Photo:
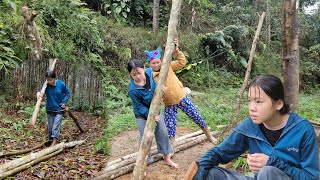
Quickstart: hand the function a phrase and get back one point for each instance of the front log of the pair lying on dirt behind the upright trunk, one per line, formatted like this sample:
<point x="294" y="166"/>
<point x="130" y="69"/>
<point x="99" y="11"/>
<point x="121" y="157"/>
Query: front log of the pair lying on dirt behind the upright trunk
<point x="129" y="168"/>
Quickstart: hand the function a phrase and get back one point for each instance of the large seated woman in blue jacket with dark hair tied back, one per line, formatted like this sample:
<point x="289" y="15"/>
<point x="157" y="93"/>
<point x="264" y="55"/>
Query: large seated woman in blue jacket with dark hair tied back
<point x="280" y="144"/>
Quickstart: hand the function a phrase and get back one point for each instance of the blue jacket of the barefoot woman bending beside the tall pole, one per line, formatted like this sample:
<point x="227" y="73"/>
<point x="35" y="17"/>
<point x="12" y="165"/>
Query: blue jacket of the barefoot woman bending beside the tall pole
<point x="141" y="97"/>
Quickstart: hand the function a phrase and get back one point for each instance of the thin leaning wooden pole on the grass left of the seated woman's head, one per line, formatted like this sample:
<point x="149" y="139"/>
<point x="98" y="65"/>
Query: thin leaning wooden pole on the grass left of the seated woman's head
<point x="245" y="81"/>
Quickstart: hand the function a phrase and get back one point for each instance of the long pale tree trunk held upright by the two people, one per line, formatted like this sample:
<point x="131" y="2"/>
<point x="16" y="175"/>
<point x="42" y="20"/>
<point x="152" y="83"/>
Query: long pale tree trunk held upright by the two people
<point x="148" y="134"/>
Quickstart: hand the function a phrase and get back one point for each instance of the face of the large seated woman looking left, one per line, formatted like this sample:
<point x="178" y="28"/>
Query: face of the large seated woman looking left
<point x="261" y="107"/>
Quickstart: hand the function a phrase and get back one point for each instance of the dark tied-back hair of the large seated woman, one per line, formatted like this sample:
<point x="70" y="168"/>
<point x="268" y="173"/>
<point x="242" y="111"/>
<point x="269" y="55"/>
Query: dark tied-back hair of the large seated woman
<point x="273" y="87"/>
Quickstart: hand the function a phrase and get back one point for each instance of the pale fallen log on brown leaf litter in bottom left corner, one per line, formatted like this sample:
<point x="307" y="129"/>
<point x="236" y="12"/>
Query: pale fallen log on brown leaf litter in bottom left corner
<point x="14" y="164"/>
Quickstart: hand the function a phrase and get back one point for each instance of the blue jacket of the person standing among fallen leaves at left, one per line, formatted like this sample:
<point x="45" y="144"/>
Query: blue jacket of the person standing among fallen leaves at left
<point x="56" y="96"/>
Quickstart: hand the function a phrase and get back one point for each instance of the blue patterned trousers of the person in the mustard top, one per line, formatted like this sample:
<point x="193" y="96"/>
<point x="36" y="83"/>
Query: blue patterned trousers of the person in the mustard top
<point x="171" y="112"/>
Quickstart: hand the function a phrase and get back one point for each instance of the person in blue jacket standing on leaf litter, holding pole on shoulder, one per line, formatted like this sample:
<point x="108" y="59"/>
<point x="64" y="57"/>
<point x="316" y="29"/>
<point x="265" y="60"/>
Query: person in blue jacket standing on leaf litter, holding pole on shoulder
<point x="57" y="95"/>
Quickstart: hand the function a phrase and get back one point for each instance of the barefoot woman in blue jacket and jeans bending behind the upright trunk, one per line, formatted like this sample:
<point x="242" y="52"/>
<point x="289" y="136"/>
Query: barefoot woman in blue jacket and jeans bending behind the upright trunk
<point x="141" y="89"/>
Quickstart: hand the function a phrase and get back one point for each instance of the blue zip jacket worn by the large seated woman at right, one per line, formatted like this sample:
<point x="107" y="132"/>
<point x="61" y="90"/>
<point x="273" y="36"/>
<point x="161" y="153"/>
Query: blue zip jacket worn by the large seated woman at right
<point x="295" y="152"/>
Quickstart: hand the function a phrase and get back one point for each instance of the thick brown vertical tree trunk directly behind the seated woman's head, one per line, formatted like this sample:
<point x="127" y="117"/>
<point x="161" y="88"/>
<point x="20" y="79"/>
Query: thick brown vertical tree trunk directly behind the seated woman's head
<point x="290" y="48"/>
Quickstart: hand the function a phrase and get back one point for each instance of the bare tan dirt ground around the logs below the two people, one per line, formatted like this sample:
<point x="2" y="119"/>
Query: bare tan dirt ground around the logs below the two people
<point x="128" y="142"/>
